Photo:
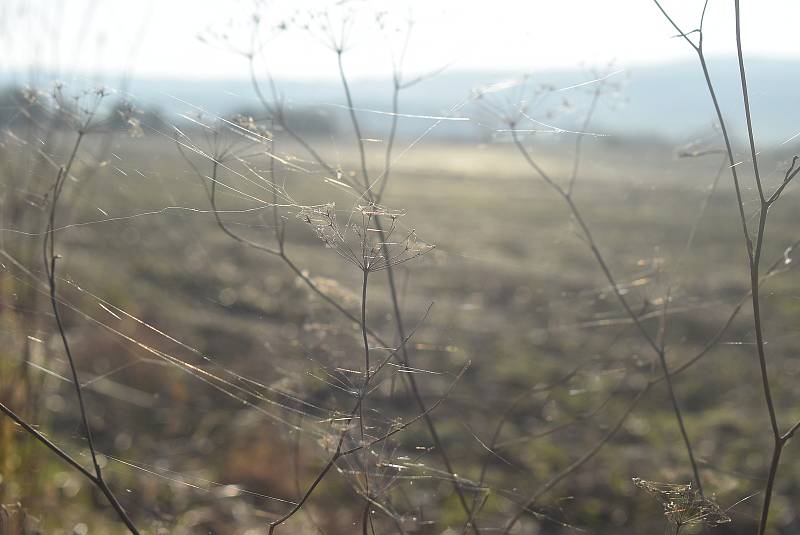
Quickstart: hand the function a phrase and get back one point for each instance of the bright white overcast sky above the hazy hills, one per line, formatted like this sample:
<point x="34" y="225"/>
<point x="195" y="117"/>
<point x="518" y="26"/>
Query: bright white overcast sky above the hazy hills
<point x="159" y="37"/>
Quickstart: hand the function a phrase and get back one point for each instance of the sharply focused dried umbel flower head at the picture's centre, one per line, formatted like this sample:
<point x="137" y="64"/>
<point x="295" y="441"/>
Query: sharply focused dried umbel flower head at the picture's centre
<point x="362" y="240"/>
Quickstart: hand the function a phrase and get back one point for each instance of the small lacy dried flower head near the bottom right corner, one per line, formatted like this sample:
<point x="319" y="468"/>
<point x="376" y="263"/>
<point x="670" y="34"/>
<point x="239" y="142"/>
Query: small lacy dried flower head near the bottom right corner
<point x="683" y="505"/>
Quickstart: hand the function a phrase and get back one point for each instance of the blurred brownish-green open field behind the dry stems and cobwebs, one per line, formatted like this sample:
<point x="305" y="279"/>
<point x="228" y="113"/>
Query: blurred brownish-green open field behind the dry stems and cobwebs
<point x="512" y="288"/>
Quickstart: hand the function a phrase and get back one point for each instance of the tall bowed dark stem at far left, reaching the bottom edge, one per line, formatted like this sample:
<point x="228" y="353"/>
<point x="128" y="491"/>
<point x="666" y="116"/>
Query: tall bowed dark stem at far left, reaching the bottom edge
<point x="50" y="259"/>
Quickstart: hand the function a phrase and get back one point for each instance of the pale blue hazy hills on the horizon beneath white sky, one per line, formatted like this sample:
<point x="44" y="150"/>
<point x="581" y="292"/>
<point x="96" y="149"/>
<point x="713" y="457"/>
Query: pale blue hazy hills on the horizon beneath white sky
<point x="666" y="101"/>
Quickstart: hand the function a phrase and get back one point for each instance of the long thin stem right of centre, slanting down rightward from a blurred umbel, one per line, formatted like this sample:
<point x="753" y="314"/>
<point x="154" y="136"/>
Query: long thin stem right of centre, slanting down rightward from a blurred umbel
<point x="587" y="234"/>
